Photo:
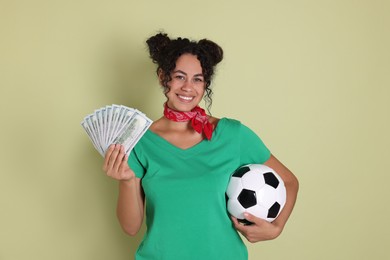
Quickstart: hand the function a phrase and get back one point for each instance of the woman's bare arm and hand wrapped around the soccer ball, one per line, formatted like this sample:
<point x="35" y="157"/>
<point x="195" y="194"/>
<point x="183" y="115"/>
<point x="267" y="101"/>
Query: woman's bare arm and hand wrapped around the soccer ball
<point x="261" y="229"/>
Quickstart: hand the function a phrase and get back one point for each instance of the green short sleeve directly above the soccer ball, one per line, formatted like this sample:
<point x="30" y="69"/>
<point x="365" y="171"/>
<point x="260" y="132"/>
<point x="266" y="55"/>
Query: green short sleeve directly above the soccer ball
<point x="252" y="148"/>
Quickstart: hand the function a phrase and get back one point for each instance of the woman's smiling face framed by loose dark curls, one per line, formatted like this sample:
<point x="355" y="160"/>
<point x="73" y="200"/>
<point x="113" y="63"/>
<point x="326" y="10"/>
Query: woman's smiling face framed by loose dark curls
<point x="187" y="85"/>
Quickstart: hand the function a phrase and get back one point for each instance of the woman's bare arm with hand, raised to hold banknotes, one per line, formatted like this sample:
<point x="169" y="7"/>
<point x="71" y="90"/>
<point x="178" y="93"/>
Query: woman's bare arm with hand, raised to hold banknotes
<point x="130" y="207"/>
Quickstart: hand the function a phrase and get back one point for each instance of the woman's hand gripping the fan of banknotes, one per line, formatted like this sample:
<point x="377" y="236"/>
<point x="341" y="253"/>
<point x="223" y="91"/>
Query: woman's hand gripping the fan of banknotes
<point x="115" y="163"/>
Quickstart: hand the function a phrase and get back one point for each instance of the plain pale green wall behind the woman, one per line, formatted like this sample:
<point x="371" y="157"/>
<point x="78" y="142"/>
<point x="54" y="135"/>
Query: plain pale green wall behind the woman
<point x="310" y="77"/>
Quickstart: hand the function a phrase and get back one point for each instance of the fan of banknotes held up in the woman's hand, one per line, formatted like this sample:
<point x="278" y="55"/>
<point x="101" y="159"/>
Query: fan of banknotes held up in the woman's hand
<point x="115" y="124"/>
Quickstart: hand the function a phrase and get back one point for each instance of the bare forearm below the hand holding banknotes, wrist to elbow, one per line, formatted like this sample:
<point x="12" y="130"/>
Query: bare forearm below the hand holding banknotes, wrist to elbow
<point x="130" y="208"/>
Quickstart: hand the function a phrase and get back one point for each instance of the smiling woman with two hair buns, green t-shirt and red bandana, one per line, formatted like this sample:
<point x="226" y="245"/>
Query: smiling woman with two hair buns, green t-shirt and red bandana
<point x="181" y="166"/>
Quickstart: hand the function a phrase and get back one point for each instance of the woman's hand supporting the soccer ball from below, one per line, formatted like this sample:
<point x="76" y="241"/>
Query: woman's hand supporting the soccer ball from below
<point x="260" y="230"/>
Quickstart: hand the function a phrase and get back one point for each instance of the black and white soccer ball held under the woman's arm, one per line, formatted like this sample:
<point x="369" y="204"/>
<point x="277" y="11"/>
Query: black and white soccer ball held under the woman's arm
<point x="256" y="189"/>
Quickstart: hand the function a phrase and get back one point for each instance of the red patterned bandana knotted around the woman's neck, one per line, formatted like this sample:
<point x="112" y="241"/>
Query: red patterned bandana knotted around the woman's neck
<point x="197" y="116"/>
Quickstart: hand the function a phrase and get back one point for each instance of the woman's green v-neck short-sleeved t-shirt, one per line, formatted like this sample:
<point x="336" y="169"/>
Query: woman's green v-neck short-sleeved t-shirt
<point x="186" y="214"/>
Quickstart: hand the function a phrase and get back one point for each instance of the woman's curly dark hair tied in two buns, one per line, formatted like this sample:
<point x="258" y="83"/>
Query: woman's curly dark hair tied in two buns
<point x="165" y="51"/>
